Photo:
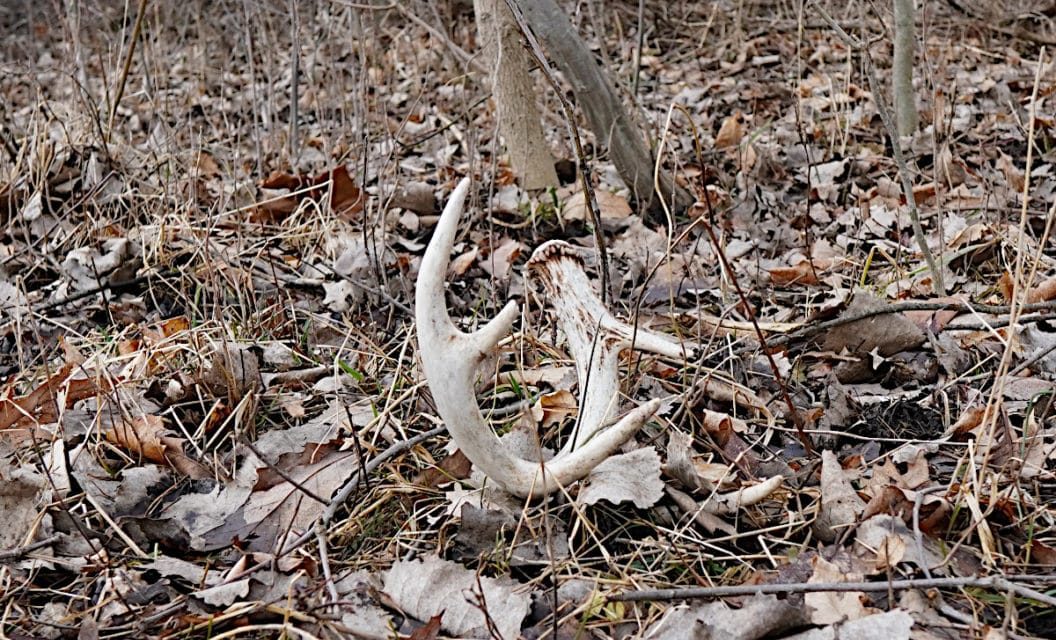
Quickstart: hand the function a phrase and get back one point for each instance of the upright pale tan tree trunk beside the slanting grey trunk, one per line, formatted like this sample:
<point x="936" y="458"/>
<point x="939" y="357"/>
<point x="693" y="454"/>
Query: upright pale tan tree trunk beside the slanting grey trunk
<point x="519" y="117"/>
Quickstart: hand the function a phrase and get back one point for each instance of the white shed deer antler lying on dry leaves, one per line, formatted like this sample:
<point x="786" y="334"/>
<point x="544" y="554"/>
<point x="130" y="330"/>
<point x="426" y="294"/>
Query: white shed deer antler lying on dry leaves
<point x="596" y="338"/>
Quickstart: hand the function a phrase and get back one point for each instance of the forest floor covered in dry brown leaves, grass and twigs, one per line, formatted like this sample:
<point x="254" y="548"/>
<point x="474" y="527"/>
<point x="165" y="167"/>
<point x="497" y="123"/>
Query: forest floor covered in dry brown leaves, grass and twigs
<point x="214" y="422"/>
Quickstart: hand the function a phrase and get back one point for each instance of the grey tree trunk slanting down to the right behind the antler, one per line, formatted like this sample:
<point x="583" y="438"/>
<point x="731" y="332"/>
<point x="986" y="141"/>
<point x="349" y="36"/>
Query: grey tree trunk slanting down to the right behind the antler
<point x="596" y="97"/>
